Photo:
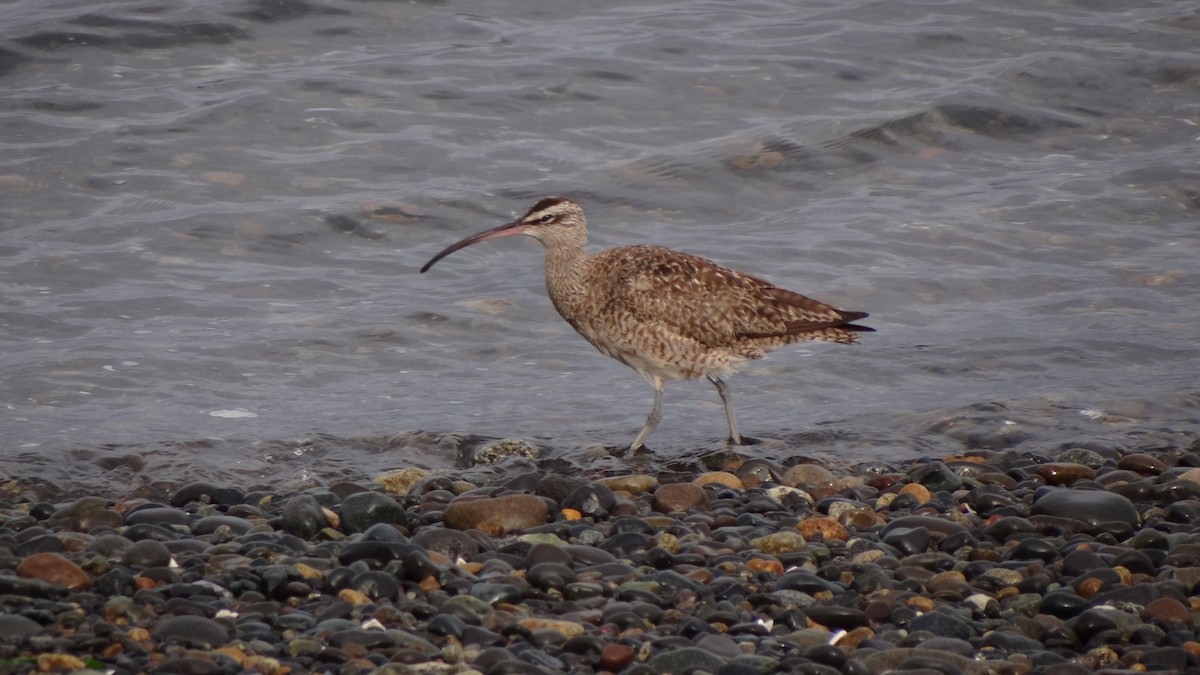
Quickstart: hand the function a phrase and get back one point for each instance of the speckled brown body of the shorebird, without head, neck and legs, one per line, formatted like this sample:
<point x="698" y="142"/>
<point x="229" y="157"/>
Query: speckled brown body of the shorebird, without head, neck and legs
<point x="681" y="316"/>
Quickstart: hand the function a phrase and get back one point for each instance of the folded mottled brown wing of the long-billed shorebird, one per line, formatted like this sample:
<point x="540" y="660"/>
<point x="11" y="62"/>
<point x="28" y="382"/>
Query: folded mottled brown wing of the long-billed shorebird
<point x="715" y="306"/>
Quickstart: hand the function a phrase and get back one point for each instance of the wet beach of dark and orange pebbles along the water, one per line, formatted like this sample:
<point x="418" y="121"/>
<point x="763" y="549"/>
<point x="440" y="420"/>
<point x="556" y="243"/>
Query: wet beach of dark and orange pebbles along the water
<point x="991" y="563"/>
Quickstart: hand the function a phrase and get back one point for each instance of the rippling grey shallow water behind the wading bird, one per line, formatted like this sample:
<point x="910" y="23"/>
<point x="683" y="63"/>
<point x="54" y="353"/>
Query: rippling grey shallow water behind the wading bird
<point x="212" y="218"/>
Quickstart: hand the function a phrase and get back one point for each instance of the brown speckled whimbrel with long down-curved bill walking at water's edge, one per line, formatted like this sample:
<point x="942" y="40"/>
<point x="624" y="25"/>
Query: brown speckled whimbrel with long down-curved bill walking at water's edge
<point x="665" y="314"/>
